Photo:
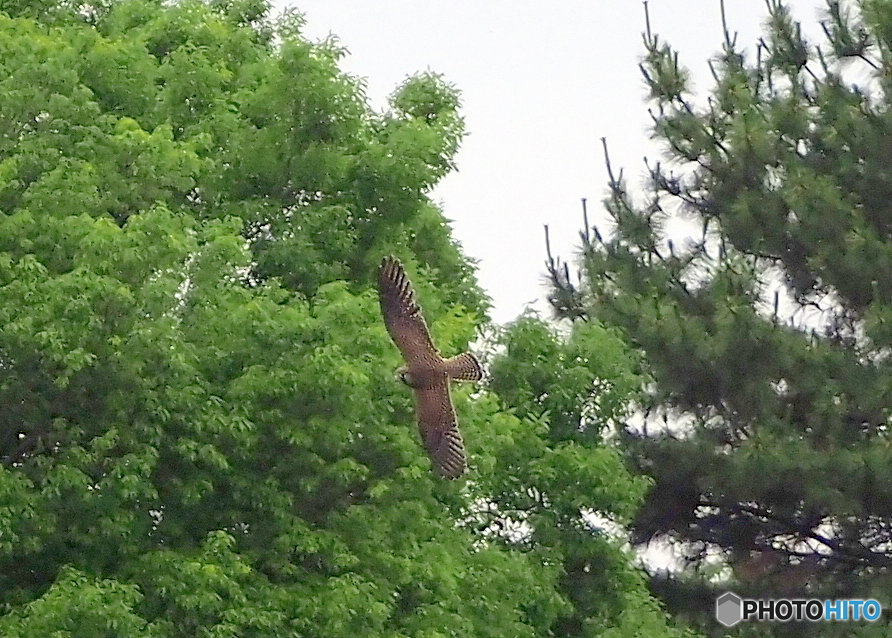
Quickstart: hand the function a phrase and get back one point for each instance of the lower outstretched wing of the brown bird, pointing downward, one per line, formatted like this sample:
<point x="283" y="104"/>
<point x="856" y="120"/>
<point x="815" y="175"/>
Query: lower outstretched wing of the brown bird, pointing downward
<point x="439" y="430"/>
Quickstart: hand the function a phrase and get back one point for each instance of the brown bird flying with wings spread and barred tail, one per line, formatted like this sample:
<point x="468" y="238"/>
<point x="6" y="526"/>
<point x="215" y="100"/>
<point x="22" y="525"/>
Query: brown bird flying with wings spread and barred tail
<point x="426" y="371"/>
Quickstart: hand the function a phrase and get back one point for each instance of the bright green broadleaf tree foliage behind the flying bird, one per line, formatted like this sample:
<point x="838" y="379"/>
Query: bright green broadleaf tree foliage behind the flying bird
<point x="201" y="434"/>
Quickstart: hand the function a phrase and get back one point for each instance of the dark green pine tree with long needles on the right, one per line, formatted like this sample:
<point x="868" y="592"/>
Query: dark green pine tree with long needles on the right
<point x="766" y="332"/>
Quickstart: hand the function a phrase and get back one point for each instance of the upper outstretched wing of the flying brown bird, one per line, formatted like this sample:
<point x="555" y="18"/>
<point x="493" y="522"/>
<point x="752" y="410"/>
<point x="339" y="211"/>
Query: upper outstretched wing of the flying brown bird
<point x="402" y="315"/>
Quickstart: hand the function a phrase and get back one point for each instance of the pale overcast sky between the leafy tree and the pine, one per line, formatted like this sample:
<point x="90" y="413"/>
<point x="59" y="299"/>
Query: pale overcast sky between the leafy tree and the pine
<point x="541" y="83"/>
